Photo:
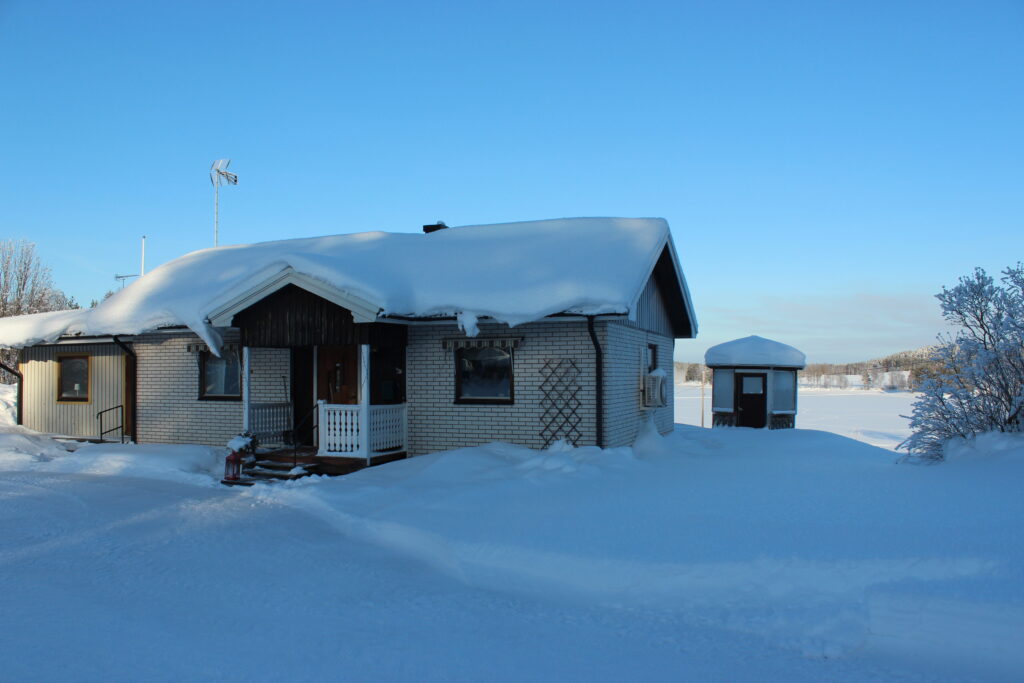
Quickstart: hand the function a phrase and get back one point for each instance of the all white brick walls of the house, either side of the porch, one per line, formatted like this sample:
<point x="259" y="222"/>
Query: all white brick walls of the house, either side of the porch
<point x="170" y="412"/>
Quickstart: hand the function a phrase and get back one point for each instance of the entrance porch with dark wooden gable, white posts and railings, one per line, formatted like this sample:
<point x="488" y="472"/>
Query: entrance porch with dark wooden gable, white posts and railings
<point x="345" y="406"/>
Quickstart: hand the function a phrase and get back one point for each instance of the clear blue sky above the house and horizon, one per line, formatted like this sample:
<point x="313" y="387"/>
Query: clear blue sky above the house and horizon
<point x="826" y="167"/>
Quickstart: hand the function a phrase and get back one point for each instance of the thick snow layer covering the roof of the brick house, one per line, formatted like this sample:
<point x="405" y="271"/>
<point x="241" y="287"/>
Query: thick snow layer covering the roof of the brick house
<point x="513" y="273"/>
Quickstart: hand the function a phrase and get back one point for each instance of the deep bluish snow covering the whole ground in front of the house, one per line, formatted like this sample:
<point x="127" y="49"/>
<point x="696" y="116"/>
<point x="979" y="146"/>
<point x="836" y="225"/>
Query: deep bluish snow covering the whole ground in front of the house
<point x="734" y="554"/>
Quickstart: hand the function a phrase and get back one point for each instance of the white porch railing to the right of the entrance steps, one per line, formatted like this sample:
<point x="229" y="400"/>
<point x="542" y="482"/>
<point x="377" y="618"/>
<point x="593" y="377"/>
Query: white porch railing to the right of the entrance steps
<point x="343" y="435"/>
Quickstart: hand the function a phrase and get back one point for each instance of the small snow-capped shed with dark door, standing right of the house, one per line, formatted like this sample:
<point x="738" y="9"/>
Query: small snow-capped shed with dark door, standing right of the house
<point x="754" y="383"/>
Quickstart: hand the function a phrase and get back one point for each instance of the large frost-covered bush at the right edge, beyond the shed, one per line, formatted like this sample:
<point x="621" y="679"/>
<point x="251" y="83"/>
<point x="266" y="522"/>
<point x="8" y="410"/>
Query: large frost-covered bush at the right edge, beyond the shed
<point x="980" y="385"/>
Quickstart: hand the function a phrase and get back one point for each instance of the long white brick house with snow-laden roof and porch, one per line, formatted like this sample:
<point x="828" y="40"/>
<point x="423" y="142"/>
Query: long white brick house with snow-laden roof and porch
<point x="375" y="343"/>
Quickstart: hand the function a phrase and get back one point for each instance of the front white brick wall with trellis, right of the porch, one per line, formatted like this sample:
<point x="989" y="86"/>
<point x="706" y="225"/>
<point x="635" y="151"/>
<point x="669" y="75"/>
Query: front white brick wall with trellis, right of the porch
<point x="437" y="423"/>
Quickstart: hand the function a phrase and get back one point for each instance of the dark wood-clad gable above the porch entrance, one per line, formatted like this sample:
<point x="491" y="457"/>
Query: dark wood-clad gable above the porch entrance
<point x="292" y="317"/>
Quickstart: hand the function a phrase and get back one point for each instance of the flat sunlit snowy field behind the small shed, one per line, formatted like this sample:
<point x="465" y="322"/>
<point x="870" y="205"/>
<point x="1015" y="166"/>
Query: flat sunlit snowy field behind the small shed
<point x="873" y="416"/>
